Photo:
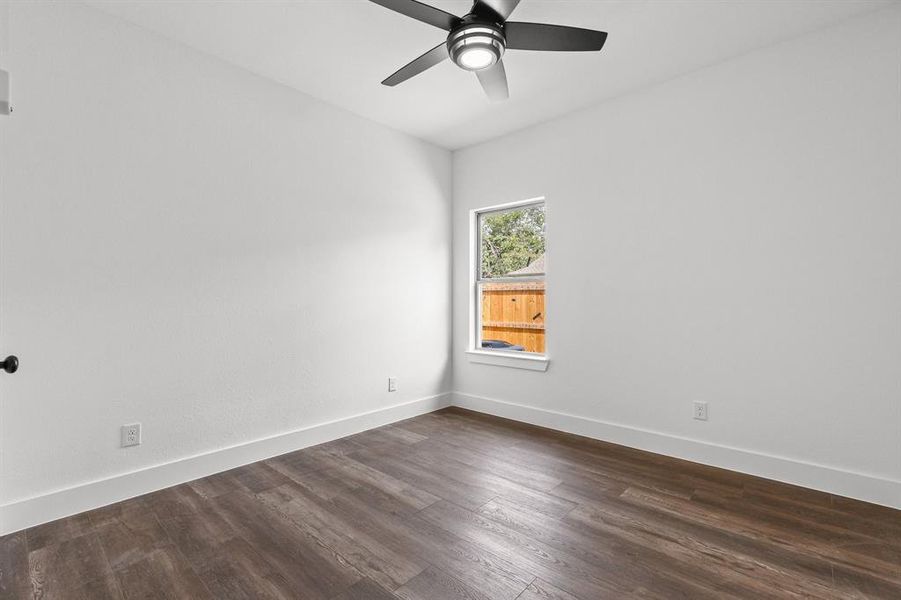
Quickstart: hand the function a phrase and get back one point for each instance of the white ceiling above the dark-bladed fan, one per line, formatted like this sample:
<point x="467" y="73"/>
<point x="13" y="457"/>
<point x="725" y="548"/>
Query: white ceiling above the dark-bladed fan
<point x="339" y="51"/>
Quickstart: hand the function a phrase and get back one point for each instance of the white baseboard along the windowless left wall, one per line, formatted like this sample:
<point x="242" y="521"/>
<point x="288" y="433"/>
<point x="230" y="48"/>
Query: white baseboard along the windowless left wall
<point x="66" y="502"/>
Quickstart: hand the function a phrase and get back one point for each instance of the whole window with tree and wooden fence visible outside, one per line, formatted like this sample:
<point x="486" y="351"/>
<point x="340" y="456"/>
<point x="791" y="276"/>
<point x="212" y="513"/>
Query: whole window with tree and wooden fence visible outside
<point x="509" y="280"/>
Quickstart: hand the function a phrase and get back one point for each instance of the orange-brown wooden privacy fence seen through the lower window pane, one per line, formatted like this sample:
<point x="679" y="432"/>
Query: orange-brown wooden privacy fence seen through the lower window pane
<point x="514" y="313"/>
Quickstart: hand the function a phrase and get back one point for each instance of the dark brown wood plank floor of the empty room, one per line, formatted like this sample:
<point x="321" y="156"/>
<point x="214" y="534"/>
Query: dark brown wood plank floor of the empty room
<point x="457" y="505"/>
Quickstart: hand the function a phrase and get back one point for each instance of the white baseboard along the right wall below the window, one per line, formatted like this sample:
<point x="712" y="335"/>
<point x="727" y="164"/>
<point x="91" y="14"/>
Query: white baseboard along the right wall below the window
<point x="861" y="486"/>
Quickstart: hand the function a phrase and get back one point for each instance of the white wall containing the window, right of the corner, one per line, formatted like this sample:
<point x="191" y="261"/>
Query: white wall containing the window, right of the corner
<point x="730" y="236"/>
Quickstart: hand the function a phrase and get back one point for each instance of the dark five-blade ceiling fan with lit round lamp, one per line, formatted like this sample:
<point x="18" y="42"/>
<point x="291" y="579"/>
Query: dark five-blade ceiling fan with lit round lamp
<point x="477" y="41"/>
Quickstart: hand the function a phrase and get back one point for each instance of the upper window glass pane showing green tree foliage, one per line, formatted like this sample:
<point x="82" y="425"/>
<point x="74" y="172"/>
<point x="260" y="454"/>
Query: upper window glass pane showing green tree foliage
<point x="512" y="242"/>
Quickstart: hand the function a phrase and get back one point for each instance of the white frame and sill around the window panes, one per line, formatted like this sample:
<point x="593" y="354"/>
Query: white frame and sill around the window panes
<point x="532" y="361"/>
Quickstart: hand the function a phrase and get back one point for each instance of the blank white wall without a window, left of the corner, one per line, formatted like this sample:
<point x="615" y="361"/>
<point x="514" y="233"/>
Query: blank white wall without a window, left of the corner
<point x="190" y="246"/>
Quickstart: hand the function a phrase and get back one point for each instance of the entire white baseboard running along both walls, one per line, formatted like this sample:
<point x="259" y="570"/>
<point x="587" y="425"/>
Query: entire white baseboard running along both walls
<point x="63" y="503"/>
